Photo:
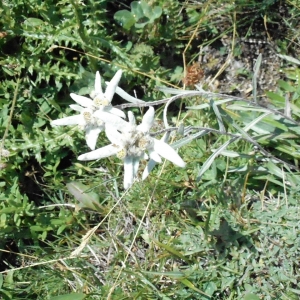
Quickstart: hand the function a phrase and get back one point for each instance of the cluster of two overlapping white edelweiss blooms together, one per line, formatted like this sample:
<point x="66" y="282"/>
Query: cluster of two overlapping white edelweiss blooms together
<point x="128" y="141"/>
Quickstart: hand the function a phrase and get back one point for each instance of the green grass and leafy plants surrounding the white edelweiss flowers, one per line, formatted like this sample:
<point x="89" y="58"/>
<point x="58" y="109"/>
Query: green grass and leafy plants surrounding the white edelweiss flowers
<point x="224" y="227"/>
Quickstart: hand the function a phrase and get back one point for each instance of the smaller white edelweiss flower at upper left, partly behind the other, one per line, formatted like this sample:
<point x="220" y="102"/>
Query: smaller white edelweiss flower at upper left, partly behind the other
<point x="92" y="124"/>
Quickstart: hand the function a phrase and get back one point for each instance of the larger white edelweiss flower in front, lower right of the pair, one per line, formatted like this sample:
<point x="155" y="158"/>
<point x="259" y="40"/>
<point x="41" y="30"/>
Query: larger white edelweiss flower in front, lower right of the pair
<point x="130" y="141"/>
